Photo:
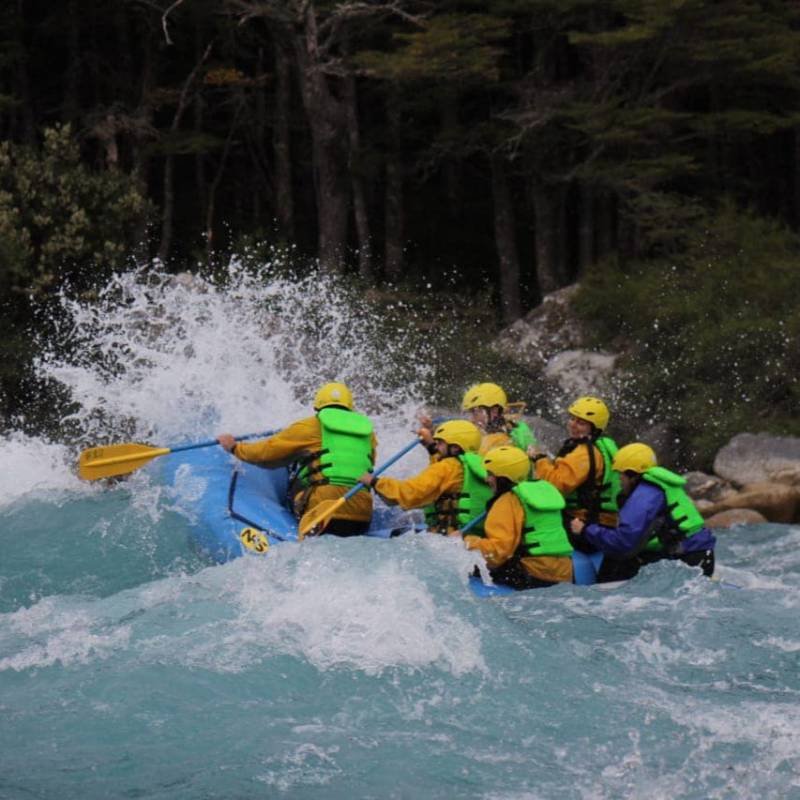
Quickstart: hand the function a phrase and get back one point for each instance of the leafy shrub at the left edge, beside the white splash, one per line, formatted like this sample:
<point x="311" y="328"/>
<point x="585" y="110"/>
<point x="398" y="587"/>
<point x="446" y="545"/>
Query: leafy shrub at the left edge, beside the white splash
<point x="62" y="224"/>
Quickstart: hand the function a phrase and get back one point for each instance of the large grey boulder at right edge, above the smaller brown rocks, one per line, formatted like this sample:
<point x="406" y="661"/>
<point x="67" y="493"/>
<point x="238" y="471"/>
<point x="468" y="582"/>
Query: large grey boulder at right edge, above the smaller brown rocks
<point x="756" y="457"/>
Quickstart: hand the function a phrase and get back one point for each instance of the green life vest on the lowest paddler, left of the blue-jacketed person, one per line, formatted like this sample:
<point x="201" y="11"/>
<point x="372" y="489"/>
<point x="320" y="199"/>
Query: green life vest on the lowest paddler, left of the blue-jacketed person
<point x="543" y="533"/>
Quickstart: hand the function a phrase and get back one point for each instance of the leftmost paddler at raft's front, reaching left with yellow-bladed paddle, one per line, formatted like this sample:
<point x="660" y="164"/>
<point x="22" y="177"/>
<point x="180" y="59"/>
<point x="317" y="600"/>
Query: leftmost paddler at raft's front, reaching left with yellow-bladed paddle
<point x="329" y="450"/>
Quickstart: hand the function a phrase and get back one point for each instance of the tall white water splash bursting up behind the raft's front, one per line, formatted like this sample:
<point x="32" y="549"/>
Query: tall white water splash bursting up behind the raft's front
<point x="163" y="357"/>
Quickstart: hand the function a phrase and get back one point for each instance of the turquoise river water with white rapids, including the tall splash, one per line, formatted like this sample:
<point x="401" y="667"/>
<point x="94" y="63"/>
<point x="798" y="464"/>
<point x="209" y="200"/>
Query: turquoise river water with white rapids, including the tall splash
<point x="133" y="667"/>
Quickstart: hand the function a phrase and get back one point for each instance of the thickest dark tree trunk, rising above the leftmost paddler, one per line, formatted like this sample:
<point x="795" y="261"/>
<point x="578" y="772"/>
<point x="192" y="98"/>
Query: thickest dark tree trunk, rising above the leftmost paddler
<point x="327" y="122"/>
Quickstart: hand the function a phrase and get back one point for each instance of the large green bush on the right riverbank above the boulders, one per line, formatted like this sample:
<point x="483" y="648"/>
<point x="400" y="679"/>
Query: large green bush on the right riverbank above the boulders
<point x="713" y="331"/>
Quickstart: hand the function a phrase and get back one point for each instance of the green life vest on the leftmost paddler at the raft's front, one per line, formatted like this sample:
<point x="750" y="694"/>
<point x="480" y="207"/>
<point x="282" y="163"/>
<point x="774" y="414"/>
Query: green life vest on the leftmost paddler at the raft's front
<point x="346" y="451"/>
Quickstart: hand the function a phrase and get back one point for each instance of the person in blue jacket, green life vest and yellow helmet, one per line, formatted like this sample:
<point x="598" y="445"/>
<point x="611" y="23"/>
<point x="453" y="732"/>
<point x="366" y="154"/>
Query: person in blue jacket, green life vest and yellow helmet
<point x="657" y="518"/>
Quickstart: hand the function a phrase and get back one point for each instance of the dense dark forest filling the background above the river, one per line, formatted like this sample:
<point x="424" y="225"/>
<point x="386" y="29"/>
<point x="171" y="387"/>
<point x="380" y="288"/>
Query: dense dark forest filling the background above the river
<point x="511" y="147"/>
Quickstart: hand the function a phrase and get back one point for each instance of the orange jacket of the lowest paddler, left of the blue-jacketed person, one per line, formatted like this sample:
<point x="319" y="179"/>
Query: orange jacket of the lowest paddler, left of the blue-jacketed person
<point x="503" y="531"/>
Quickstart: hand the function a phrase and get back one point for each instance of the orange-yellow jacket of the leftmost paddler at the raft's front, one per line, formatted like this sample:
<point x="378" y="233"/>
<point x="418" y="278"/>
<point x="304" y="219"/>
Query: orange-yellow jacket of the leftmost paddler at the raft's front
<point x="299" y="439"/>
